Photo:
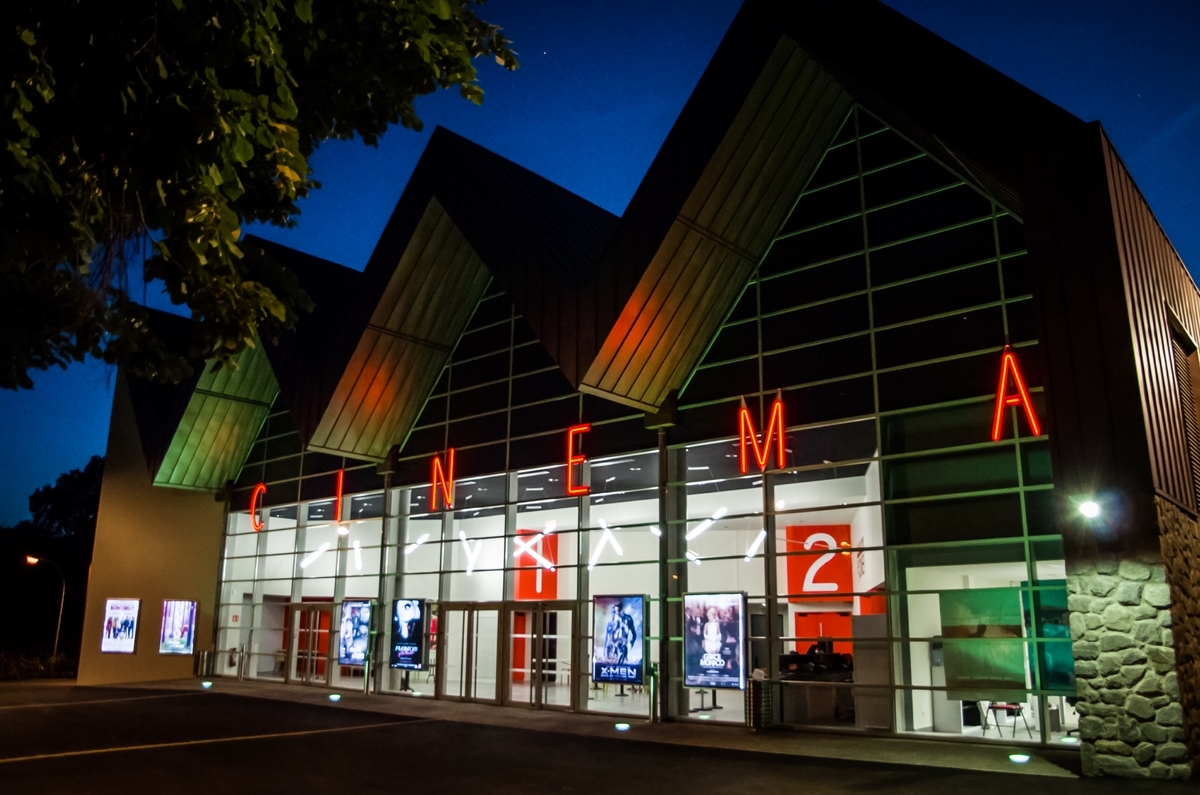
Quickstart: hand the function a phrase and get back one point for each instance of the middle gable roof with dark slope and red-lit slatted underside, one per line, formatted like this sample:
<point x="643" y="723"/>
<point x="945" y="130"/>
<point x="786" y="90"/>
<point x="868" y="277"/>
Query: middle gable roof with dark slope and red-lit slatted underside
<point x="467" y="217"/>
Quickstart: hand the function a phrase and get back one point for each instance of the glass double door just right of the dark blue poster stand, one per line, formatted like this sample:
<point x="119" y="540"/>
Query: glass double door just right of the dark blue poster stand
<point x="469" y="637"/>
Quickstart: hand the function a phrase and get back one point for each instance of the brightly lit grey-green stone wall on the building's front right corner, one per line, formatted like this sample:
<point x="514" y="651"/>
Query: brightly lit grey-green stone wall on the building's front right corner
<point x="1131" y="718"/>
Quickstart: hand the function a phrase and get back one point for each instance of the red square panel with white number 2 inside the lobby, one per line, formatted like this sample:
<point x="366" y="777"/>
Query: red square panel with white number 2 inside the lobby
<point x="818" y="577"/>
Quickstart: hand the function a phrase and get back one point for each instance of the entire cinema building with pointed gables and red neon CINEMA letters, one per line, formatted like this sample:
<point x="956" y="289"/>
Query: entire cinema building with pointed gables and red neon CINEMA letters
<point x="885" y="343"/>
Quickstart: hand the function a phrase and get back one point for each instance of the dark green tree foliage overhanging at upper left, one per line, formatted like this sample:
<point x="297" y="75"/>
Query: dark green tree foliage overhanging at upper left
<point x="151" y="131"/>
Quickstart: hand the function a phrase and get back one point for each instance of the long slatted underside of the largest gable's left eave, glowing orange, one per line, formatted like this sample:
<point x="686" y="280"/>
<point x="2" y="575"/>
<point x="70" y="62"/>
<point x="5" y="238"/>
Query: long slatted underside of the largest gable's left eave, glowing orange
<point x="790" y="116"/>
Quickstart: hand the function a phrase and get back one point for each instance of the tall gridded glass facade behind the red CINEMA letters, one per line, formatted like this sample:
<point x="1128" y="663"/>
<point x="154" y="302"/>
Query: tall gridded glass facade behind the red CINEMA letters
<point x="903" y="572"/>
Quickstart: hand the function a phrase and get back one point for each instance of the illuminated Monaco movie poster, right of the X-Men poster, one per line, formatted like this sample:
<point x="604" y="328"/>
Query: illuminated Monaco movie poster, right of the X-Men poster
<point x="713" y="641"/>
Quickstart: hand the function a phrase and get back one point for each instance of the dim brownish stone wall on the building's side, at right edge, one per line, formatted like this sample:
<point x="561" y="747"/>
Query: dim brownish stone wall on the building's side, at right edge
<point x="1180" y="539"/>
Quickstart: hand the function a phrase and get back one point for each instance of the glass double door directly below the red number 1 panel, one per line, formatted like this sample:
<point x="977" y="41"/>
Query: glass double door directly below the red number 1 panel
<point x="539" y="655"/>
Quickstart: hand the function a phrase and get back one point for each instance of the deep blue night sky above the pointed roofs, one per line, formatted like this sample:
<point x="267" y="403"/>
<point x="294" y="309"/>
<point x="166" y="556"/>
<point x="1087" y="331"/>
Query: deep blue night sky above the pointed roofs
<point x="598" y="91"/>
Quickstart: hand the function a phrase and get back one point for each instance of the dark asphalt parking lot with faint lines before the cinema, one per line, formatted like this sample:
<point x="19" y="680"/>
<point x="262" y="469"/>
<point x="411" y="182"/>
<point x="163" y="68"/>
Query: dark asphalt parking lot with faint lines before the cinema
<point x="67" y="739"/>
